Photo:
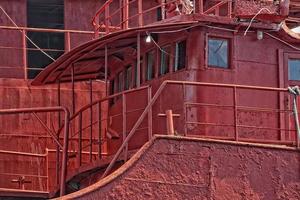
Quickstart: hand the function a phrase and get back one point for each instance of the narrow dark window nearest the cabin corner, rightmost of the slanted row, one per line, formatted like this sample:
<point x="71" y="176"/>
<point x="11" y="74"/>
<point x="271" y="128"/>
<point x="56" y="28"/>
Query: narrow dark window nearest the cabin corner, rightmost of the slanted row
<point x="180" y="55"/>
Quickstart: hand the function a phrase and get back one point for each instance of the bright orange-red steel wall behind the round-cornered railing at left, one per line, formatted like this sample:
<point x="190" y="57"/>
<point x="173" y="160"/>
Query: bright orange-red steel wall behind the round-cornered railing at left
<point x="23" y="133"/>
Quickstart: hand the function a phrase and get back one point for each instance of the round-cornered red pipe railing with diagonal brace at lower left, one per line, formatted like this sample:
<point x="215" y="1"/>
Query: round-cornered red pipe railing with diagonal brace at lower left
<point x="54" y="136"/>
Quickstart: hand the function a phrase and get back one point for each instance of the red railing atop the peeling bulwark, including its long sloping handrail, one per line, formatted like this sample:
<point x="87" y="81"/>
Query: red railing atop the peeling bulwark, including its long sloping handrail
<point x="235" y="106"/>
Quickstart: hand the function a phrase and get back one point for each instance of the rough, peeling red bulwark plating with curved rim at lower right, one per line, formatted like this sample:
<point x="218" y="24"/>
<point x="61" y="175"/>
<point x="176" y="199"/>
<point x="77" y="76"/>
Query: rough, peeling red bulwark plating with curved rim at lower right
<point x="199" y="169"/>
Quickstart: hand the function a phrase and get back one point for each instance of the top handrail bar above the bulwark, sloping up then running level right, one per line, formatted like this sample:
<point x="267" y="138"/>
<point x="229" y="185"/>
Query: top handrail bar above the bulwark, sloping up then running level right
<point x="157" y="94"/>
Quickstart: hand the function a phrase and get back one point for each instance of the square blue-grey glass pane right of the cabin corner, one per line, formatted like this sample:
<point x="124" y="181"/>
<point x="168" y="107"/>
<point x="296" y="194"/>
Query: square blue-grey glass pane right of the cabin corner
<point x="218" y="53"/>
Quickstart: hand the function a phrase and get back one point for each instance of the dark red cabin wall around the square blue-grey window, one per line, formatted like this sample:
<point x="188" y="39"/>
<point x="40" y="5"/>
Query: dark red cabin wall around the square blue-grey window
<point x="253" y="62"/>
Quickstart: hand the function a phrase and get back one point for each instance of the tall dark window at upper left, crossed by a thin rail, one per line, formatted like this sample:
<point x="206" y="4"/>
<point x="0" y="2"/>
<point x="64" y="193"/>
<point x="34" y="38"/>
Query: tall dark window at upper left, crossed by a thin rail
<point x="44" y="14"/>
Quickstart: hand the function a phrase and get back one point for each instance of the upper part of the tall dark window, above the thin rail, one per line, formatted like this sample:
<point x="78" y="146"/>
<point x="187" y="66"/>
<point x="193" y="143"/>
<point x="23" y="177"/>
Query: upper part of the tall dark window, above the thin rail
<point x="45" y="14"/>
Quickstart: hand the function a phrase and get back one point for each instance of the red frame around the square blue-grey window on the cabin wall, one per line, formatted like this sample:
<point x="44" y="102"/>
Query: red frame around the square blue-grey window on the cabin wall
<point x="231" y="56"/>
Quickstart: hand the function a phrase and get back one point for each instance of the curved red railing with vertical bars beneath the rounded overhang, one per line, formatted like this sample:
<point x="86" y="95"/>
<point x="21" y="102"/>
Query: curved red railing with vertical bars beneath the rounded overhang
<point x="94" y="113"/>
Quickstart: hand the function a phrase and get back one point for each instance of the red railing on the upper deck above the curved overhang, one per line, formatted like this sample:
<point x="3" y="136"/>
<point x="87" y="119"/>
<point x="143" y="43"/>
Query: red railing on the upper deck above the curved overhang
<point x="132" y="14"/>
